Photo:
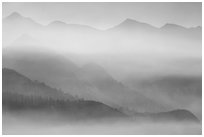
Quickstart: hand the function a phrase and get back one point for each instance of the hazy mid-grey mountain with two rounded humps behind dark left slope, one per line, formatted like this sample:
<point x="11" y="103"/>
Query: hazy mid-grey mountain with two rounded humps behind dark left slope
<point x="90" y="82"/>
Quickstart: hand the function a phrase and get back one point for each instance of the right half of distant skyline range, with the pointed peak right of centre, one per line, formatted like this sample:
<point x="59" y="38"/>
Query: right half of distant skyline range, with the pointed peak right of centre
<point x="171" y="30"/>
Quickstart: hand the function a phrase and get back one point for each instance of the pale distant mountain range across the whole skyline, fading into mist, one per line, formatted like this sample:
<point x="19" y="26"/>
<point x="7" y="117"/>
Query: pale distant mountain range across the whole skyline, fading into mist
<point x="18" y="25"/>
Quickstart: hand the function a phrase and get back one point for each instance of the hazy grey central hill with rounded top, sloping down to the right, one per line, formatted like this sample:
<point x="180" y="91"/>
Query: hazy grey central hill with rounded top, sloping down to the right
<point x="118" y="92"/>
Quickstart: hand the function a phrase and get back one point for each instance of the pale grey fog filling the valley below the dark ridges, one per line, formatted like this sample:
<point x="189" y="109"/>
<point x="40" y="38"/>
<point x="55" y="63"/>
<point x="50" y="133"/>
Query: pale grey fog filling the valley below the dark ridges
<point x="15" y="125"/>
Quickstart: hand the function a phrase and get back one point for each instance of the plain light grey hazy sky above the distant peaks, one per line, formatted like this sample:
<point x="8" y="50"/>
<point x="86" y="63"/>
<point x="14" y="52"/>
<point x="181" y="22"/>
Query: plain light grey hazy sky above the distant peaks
<point x="105" y="15"/>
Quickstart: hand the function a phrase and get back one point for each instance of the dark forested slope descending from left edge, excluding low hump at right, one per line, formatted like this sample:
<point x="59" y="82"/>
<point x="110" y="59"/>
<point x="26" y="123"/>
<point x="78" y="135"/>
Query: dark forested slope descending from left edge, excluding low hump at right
<point x="21" y="94"/>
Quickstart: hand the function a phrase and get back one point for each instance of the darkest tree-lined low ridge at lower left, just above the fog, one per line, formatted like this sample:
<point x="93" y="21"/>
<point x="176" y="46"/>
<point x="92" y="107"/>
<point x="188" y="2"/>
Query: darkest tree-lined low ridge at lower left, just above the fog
<point x="65" y="109"/>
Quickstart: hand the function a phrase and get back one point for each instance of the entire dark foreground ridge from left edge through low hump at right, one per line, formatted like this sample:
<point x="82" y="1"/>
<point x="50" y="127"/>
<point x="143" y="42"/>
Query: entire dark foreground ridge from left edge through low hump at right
<point x="22" y="94"/>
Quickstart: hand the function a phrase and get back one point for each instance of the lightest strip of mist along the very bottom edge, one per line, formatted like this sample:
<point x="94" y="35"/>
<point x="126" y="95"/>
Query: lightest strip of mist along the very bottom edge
<point x="116" y="129"/>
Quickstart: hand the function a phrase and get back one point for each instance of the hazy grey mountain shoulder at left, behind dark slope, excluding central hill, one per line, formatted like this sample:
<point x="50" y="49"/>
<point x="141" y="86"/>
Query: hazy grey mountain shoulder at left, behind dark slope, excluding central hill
<point x="53" y="69"/>
